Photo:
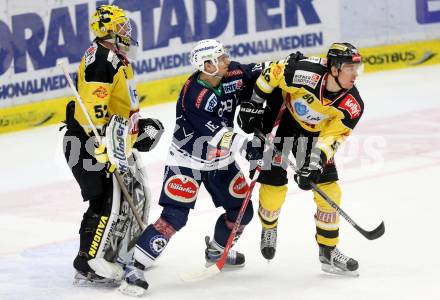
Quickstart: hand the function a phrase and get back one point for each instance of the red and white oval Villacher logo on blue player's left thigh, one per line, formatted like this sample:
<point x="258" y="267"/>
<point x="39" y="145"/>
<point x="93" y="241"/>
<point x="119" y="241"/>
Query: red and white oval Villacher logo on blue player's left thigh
<point x="181" y="188"/>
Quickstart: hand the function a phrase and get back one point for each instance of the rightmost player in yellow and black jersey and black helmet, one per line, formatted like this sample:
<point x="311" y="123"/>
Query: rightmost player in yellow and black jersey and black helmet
<point x="323" y="107"/>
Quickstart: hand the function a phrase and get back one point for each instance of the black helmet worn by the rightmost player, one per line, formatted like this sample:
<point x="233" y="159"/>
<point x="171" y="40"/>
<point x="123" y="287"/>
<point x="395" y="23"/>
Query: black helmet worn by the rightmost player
<point x="340" y="53"/>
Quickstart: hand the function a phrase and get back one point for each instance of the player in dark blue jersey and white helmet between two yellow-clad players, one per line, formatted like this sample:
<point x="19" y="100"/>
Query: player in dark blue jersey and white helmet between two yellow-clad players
<point x="202" y="151"/>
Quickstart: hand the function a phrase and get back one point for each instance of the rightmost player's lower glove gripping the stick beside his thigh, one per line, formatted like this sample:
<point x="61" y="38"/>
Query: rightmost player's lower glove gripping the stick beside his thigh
<point x="311" y="171"/>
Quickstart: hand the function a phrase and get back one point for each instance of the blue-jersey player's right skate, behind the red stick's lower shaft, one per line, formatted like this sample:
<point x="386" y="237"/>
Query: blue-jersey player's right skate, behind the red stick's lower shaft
<point x="214" y="251"/>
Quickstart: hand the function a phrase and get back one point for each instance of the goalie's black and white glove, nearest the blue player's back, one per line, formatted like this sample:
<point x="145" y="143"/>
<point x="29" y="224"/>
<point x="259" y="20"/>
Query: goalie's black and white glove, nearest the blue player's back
<point x="150" y="131"/>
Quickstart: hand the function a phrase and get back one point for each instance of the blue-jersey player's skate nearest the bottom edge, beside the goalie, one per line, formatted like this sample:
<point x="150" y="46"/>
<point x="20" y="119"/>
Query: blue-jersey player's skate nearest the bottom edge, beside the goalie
<point x="134" y="283"/>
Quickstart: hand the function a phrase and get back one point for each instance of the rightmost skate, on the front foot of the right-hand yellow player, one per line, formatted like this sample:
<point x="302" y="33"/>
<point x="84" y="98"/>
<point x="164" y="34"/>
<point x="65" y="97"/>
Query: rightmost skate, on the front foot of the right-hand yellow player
<point x="335" y="262"/>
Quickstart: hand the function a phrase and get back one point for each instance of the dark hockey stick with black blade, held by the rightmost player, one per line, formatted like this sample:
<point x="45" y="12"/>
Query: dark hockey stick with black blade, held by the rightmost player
<point x="371" y="235"/>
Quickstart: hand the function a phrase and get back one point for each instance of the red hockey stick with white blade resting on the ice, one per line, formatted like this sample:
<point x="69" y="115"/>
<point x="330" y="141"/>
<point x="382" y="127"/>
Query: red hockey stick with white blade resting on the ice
<point x="218" y="266"/>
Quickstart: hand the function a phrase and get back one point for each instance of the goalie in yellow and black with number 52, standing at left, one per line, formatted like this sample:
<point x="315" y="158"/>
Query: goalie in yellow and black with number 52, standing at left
<point x="106" y="85"/>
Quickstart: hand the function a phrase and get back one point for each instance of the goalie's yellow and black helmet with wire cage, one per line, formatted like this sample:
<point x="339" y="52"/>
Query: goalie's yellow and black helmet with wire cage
<point x="111" y="22"/>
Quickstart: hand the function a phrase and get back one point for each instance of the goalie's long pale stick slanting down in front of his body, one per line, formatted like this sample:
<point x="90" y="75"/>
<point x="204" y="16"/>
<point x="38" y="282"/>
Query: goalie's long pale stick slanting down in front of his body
<point x="99" y="139"/>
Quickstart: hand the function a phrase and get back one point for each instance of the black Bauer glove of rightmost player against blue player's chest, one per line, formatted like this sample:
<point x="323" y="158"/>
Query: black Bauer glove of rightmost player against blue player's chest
<point x="250" y="116"/>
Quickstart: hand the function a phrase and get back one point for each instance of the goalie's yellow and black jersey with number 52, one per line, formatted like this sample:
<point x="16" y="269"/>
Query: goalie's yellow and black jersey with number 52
<point x="107" y="87"/>
